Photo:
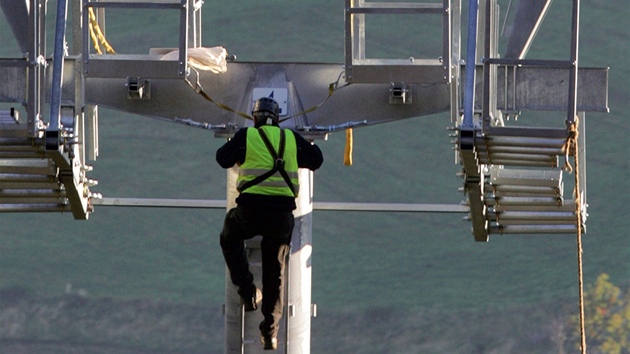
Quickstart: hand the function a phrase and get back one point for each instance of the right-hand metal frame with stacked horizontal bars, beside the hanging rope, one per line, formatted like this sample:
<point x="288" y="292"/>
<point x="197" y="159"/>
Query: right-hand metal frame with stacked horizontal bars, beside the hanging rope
<point x="511" y="174"/>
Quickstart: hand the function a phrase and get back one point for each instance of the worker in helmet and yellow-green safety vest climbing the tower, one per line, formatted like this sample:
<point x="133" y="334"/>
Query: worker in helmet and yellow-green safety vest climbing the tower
<point x="269" y="158"/>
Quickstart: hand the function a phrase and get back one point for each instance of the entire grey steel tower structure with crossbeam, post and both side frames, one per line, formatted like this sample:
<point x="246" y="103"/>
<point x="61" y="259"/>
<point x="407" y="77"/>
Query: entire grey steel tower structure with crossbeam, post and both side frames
<point x="511" y="175"/>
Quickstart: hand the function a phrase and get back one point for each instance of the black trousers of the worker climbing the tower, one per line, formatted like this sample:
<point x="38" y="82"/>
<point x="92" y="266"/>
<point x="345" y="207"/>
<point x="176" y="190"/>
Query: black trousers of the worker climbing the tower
<point x="275" y="227"/>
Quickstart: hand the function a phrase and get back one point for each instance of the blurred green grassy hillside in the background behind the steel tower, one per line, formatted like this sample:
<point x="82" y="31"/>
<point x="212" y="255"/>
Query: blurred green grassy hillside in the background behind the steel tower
<point x="394" y="282"/>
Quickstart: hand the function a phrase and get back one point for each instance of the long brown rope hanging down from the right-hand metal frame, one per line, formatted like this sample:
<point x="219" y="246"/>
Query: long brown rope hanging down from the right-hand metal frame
<point x="571" y="148"/>
